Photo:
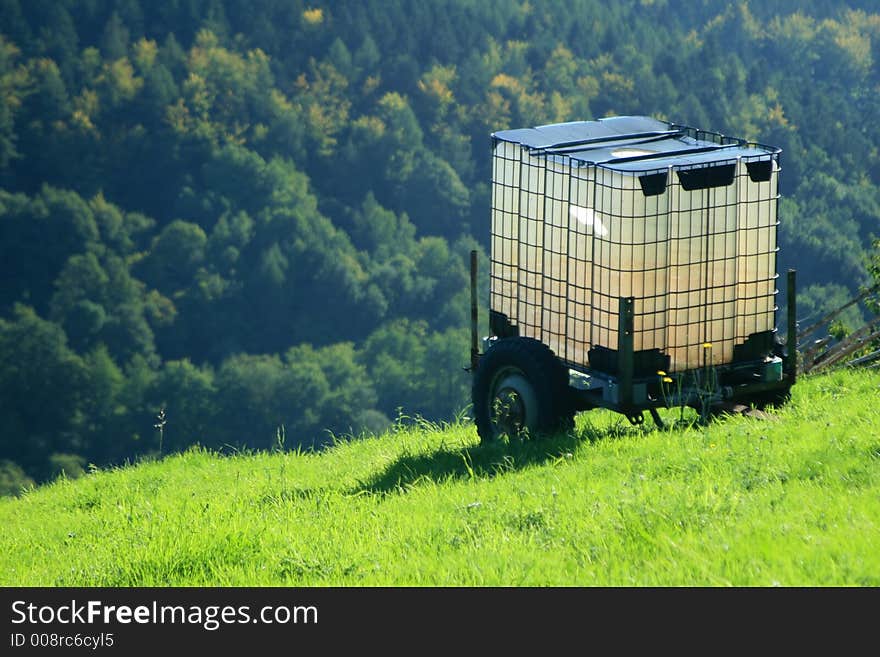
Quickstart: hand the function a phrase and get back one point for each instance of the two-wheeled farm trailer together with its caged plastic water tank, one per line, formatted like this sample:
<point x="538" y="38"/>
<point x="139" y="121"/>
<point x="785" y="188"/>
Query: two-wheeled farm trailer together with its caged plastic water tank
<point x="633" y="267"/>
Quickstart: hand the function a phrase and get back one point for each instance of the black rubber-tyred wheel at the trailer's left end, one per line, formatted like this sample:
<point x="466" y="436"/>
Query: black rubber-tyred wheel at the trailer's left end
<point x="520" y="388"/>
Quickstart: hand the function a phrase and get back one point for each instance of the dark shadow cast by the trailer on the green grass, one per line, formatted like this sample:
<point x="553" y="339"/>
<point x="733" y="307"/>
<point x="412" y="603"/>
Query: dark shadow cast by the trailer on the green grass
<point x="483" y="460"/>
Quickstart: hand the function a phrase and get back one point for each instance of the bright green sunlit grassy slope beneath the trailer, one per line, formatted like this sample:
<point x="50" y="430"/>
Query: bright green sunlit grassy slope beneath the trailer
<point x="790" y="501"/>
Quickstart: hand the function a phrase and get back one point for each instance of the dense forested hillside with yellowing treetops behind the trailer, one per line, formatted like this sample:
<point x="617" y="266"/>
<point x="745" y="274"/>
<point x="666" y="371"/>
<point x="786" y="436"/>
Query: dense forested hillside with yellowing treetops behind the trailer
<point x="256" y="214"/>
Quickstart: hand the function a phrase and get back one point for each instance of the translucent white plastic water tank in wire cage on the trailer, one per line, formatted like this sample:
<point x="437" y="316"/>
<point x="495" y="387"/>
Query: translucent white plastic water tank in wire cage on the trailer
<point x="683" y="220"/>
